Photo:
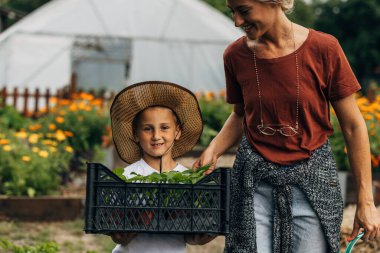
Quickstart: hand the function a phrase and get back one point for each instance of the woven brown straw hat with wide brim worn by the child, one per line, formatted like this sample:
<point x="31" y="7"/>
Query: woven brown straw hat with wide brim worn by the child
<point x="135" y="98"/>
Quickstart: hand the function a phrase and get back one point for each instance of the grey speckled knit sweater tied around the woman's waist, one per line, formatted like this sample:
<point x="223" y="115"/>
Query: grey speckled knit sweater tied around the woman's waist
<point x="316" y="177"/>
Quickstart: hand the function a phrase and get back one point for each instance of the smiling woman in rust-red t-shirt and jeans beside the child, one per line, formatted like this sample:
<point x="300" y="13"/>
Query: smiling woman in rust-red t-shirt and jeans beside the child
<point x="281" y="78"/>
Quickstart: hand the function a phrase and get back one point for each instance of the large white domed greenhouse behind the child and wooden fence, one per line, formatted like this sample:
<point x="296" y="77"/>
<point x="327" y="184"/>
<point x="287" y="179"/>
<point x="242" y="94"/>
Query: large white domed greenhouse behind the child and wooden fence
<point x="113" y="43"/>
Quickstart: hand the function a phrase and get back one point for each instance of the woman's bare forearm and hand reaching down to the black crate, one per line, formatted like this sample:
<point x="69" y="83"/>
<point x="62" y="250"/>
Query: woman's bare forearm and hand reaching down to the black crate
<point x="229" y="135"/>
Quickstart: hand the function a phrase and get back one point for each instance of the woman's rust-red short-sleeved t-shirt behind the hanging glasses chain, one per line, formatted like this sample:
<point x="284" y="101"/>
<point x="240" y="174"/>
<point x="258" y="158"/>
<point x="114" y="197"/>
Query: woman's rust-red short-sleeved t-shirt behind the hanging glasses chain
<point x="325" y="75"/>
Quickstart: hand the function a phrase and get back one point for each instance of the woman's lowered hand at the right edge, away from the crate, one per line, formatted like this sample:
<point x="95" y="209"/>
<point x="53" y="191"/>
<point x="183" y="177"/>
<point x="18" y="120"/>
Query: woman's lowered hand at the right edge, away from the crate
<point x="368" y="218"/>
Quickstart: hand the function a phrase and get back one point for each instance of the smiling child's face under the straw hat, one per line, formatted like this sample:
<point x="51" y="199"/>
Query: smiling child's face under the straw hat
<point x="156" y="131"/>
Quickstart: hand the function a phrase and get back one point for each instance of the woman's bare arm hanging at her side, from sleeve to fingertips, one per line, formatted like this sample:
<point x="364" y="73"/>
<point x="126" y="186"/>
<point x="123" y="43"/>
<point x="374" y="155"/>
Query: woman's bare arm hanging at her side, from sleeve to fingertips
<point x="356" y="137"/>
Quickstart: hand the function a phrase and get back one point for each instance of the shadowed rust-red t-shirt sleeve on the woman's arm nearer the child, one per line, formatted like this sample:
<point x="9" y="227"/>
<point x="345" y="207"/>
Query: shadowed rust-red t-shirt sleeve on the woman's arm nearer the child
<point x="233" y="90"/>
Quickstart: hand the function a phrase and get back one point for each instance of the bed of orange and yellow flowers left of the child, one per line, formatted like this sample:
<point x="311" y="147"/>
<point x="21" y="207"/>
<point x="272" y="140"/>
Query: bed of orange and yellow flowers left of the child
<point x="37" y="155"/>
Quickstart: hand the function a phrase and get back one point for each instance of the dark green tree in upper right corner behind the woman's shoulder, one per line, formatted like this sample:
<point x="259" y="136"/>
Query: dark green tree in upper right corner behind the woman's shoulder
<point x="355" y="23"/>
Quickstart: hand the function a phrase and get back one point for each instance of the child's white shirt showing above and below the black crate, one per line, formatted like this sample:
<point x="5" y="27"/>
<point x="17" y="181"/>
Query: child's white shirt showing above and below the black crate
<point x="151" y="243"/>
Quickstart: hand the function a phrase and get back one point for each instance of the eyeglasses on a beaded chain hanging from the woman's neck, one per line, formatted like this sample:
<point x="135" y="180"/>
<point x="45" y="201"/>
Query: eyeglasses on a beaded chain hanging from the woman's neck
<point x="271" y="129"/>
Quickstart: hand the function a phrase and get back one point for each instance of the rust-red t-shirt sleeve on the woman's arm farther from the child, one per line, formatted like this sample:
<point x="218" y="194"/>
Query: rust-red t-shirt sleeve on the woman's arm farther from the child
<point x="341" y="80"/>
